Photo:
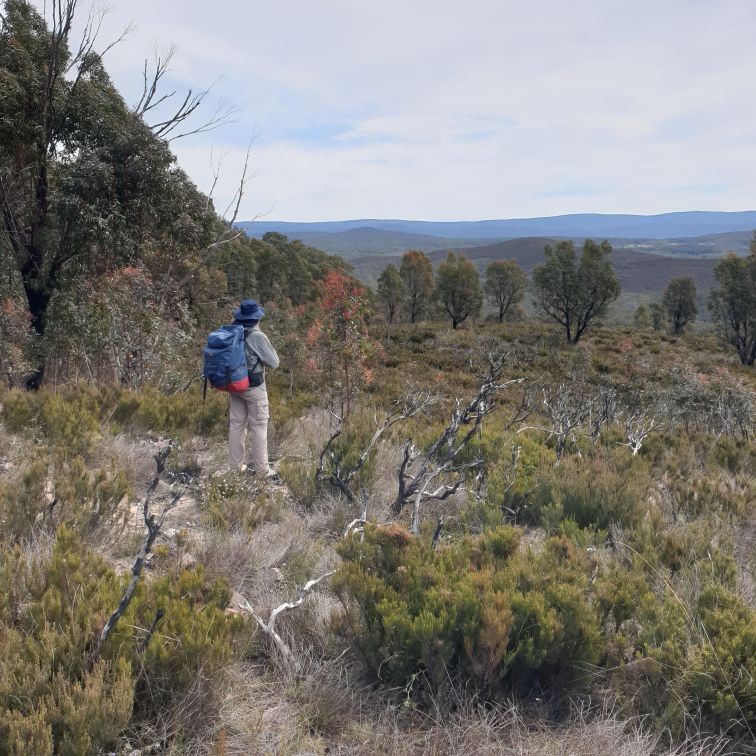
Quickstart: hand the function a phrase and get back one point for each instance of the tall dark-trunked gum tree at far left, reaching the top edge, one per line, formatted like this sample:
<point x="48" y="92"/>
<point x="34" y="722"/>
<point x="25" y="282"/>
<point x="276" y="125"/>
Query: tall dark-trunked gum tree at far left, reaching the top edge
<point x="86" y="185"/>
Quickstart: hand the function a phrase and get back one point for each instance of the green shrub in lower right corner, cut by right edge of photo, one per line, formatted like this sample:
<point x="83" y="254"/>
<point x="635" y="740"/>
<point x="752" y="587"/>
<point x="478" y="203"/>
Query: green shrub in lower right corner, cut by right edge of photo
<point x="681" y="648"/>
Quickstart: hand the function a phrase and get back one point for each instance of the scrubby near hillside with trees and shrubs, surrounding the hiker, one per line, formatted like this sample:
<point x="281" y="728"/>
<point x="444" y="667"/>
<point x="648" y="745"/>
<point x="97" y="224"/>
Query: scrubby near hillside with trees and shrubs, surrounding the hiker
<point x="490" y="530"/>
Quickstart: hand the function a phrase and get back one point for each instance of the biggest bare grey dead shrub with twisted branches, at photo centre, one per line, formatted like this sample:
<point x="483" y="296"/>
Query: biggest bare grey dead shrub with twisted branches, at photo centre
<point x="419" y="471"/>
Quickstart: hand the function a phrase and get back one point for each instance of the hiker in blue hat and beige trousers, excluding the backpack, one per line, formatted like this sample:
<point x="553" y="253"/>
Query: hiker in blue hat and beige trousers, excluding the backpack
<point x="249" y="409"/>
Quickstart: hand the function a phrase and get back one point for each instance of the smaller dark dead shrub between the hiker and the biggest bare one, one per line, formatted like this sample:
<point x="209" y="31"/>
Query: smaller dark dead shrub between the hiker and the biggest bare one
<point x="331" y="467"/>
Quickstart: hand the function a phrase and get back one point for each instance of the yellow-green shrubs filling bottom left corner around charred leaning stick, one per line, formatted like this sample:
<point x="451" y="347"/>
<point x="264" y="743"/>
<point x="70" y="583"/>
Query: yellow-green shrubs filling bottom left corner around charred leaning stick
<point x="53" y="696"/>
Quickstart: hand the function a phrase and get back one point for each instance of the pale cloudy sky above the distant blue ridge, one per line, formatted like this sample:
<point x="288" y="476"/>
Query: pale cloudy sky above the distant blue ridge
<point x="460" y="110"/>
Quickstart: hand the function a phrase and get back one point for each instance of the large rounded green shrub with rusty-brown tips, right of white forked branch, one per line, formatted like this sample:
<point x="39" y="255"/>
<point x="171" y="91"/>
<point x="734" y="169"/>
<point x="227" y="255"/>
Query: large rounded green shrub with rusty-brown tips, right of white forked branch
<point x="478" y="607"/>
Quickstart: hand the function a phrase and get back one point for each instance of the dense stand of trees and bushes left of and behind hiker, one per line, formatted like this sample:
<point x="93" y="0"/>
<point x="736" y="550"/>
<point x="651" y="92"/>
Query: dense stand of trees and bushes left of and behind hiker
<point x="120" y="261"/>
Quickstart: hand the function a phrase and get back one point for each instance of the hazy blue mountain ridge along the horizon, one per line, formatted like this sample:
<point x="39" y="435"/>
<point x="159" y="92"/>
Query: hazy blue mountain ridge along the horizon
<point x="661" y="226"/>
